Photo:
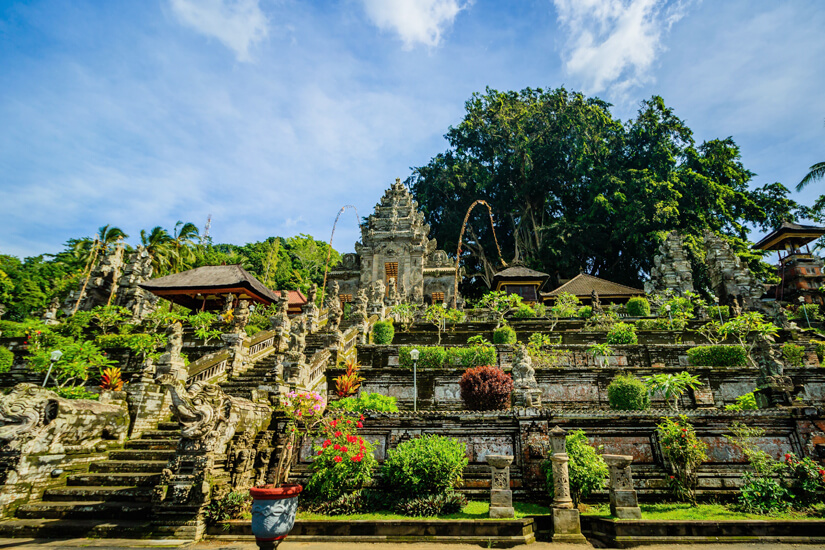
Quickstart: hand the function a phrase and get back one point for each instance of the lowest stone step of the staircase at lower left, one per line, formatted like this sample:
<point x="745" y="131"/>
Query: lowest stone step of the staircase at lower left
<point x="66" y="529"/>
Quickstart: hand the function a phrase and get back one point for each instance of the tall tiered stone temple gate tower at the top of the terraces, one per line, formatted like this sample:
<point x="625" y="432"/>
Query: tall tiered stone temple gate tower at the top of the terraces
<point x="395" y="245"/>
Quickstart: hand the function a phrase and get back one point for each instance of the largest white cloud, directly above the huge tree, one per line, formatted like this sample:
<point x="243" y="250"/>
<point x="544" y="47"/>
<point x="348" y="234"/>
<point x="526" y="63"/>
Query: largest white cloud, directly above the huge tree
<point x="613" y="43"/>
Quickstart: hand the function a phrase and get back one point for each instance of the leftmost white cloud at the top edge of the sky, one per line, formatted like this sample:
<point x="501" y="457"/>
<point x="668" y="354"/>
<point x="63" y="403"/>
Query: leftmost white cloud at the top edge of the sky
<point x="238" y="24"/>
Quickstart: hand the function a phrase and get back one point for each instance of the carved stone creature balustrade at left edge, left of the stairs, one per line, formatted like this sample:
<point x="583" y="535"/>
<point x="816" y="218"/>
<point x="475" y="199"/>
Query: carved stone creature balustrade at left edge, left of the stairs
<point x="36" y="420"/>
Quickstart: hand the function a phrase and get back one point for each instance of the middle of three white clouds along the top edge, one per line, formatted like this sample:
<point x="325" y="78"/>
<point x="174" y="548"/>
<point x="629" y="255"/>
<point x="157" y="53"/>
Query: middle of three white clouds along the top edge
<point x="415" y="21"/>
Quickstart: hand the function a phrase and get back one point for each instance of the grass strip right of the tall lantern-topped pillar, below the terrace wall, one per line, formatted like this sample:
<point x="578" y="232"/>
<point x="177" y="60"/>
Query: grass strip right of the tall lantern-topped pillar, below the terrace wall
<point x="710" y="512"/>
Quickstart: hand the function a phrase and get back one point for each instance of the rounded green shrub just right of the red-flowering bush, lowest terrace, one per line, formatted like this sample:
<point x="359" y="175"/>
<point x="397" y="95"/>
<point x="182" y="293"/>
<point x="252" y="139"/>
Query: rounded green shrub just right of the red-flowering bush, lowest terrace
<point x="426" y="465"/>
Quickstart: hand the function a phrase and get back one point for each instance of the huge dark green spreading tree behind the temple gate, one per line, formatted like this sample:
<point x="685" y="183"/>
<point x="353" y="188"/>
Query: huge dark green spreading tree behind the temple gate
<point x="572" y="188"/>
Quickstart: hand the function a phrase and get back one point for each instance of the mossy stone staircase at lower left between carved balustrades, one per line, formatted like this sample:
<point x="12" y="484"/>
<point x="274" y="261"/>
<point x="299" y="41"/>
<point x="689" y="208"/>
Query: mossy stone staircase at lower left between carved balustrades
<point x="112" y="499"/>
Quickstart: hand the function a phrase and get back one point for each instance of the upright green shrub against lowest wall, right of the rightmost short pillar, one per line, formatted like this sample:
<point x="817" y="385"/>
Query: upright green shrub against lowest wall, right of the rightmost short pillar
<point x="683" y="452"/>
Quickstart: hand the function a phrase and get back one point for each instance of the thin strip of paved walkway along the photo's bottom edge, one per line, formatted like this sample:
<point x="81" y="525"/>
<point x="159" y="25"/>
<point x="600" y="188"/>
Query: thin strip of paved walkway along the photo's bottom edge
<point x="118" y="544"/>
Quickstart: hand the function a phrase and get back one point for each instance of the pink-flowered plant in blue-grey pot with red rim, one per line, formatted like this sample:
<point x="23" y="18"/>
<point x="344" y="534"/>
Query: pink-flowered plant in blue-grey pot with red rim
<point x="274" y="506"/>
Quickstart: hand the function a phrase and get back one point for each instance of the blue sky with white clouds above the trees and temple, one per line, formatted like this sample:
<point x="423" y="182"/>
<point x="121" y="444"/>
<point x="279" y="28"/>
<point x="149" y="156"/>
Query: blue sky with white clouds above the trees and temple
<point x="270" y="115"/>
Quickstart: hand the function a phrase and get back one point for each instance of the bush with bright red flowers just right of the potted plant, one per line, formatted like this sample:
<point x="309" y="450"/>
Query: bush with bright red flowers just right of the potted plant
<point x="343" y="460"/>
